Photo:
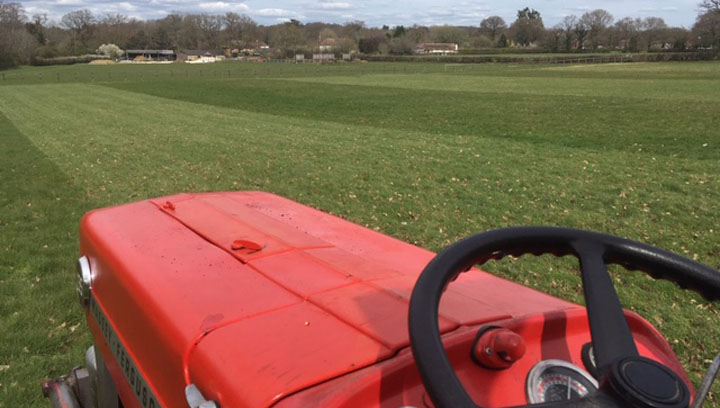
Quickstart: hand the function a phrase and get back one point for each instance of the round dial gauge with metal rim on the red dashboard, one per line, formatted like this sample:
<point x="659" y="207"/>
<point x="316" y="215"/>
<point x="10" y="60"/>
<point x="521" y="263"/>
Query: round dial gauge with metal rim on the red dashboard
<point x="558" y="380"/>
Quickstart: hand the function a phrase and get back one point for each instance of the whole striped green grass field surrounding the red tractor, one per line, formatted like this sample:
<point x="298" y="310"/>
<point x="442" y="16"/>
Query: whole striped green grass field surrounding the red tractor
<point x="427" y="153"/>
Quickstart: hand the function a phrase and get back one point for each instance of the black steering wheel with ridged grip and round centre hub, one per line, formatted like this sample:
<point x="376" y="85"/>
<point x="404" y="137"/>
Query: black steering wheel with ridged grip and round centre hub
<point x="631" y="380"/>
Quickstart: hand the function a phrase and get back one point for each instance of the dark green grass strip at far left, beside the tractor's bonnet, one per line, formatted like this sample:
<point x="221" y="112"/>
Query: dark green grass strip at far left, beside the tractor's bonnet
<point x="42" y="329"/>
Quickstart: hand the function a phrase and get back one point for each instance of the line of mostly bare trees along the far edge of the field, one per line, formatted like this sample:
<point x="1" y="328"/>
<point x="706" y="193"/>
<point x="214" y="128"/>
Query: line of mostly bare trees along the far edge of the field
<point x="24" y="38"/>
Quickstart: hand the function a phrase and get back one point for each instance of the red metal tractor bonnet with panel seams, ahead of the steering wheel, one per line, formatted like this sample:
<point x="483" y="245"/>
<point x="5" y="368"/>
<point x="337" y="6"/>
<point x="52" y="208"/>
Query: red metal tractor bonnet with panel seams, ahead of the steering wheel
<point x="253" y="297"/>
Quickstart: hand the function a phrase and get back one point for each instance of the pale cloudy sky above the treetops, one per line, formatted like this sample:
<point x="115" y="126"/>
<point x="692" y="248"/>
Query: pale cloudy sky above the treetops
<point x="375" y="13"/>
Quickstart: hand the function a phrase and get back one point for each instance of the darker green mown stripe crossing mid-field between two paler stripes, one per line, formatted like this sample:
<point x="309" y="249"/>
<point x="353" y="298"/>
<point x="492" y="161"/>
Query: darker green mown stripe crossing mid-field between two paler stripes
<point x="662" y="127"/>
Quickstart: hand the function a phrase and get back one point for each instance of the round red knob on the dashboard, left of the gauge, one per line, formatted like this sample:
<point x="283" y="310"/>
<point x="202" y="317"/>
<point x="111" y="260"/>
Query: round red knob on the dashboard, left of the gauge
<point x="499" y="348"/>
